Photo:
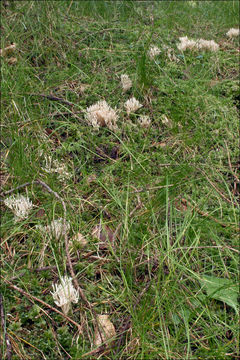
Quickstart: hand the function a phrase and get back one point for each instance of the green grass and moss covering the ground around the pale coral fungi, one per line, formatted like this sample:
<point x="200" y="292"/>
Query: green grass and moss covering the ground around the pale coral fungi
<point x="171" y="191"/>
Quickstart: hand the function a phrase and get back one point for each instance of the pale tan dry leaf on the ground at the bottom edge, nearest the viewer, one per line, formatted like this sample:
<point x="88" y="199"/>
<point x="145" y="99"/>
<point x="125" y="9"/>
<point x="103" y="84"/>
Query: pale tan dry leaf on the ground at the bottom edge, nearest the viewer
<point x="107" y="329"/>
